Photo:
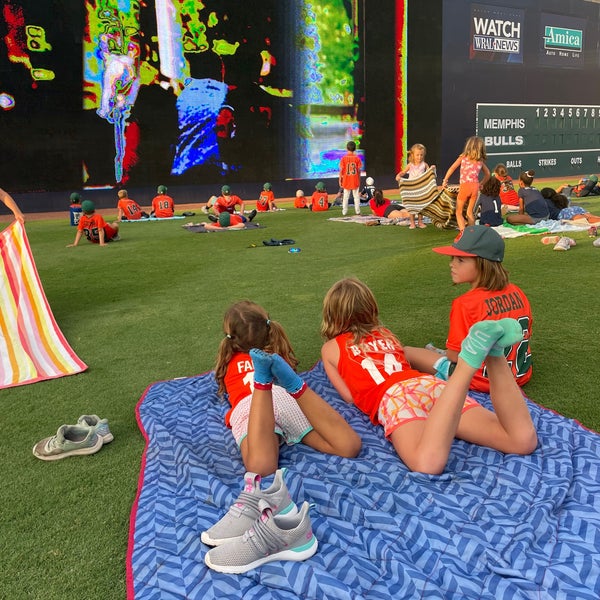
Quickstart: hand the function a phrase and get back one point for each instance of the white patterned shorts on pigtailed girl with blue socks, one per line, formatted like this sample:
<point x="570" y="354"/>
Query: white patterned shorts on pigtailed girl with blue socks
<point x="290" y="422"/>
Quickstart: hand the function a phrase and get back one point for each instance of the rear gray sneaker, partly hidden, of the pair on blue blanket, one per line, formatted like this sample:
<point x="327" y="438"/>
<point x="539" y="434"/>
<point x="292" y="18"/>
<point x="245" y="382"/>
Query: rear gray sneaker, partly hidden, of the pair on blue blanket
<point x="244" y="511"/>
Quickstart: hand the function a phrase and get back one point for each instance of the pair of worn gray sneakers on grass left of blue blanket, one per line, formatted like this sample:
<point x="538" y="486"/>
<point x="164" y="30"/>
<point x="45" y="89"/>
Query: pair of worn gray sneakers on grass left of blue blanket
<point x="86" y="437"/>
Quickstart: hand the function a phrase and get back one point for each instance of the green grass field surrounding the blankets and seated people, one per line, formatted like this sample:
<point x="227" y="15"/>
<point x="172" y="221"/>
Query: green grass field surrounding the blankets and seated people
<point x="149" y="308"/>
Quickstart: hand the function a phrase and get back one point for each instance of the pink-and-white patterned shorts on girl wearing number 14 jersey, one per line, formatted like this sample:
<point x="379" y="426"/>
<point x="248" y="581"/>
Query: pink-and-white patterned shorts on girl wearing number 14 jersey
<point x="412" y="400"/>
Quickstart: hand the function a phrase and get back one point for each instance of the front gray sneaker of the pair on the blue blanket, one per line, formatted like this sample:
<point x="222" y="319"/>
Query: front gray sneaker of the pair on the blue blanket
<point x="272" y="537"/>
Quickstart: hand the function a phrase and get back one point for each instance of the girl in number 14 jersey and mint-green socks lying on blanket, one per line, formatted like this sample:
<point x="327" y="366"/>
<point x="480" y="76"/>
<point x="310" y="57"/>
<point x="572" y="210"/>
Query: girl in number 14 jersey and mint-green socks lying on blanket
<point x="421" y="414"/>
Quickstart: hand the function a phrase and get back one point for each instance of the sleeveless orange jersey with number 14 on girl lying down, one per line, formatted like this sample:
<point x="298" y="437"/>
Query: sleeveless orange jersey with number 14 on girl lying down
<point x="370" y="368"/>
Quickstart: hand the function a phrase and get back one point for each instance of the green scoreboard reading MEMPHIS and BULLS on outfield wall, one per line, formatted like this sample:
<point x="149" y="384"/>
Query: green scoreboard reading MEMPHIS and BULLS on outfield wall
<point x="555" y="140"/>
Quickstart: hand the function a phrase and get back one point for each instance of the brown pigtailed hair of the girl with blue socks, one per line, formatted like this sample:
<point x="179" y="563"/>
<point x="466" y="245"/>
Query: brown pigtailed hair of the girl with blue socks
<point x="247" y="325"/>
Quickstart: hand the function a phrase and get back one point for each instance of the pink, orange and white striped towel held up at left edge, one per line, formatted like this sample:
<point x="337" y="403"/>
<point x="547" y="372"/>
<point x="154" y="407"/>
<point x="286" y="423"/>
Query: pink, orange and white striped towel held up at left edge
<point x="32" y="347"/>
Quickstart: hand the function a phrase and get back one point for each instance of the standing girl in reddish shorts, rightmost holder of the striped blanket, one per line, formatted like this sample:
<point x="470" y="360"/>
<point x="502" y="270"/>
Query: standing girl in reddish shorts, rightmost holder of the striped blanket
<point x="471" y="163"/>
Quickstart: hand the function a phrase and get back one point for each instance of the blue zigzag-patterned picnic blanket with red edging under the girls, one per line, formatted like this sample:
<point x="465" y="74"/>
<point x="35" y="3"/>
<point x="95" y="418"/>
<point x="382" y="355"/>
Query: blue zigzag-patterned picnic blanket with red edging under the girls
<point x="492" y="526"/>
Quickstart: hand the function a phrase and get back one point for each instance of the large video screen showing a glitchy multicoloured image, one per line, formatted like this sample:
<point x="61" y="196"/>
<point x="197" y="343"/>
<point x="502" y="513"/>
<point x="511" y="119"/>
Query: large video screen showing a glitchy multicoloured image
<point x="99" y="93"/>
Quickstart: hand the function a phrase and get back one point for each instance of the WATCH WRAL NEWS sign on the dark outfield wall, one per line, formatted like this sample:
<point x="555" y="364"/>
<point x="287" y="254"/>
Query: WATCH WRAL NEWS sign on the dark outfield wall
<point x="496" y="34"/>
